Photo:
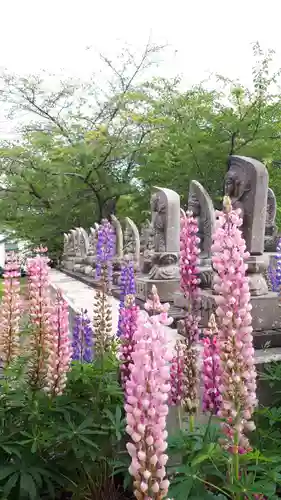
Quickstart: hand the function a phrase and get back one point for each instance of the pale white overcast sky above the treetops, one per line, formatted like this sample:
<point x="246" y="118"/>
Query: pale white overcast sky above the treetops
<point x="209" y="36"/>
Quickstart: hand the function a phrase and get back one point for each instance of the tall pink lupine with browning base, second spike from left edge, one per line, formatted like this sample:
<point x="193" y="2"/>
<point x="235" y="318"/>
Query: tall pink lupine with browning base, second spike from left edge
<point x="40" y="312"/>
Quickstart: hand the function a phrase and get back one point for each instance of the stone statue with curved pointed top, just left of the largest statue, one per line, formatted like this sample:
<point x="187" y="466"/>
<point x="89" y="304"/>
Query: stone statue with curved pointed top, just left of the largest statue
<point x="201" y="205"/>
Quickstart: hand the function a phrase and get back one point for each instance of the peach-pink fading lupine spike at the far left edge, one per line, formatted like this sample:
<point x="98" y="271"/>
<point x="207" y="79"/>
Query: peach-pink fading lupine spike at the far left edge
<point x="10" y="311"/>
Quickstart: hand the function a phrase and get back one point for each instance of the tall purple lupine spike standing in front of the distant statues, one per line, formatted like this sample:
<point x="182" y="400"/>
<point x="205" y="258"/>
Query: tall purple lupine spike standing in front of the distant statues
<point x="105" y="250"/>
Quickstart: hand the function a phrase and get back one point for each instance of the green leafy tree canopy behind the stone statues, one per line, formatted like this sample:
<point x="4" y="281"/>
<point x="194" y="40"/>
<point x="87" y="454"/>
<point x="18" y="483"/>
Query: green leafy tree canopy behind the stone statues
<point x="85" y="153"/>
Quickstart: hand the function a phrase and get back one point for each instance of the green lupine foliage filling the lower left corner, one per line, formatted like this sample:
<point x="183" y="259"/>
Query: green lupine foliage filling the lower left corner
<point x="68" y="442"/>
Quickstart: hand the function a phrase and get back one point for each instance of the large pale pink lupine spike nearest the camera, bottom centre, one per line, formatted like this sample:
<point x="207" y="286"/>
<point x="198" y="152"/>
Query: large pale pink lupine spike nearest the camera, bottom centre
<point x="146" y="409"/>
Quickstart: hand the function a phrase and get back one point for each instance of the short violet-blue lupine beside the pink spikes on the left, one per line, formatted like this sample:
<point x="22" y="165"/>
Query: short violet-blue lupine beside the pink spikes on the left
<point x="83" y="338"/>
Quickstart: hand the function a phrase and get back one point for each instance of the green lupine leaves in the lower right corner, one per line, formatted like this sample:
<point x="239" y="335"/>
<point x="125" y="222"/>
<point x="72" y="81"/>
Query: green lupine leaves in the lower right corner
<point x="204" y="471"/>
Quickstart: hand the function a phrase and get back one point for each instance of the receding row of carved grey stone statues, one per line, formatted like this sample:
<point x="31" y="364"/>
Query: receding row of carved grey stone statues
<point x="155" y="248"/>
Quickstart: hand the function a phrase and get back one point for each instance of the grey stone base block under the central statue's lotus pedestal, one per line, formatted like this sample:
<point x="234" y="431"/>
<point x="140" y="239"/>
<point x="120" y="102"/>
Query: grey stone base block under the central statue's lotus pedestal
<point x="166" y="288"/>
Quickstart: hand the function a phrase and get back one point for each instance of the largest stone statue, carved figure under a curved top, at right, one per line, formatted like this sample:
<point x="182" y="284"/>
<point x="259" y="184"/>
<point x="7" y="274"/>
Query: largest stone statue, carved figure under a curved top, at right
<point x="246" y="183"/>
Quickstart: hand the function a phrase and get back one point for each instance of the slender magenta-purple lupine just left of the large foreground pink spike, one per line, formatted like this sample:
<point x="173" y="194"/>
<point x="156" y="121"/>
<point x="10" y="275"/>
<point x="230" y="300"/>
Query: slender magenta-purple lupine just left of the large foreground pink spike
<point x="127" y="328"/>
